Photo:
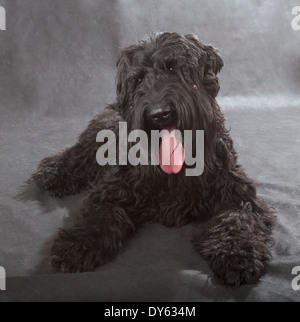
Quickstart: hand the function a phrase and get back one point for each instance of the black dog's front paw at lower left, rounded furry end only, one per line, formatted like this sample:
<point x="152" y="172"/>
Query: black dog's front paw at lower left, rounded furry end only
<point x="76" y="250"/>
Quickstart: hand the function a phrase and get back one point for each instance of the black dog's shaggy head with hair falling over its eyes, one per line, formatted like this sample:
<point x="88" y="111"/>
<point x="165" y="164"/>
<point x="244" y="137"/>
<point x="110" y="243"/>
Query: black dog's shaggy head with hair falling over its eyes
<point x="170" y="82"/>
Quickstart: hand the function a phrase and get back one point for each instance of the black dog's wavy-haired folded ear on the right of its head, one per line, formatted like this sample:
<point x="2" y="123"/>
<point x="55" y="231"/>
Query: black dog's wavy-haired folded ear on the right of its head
<point x="210" y="63"/>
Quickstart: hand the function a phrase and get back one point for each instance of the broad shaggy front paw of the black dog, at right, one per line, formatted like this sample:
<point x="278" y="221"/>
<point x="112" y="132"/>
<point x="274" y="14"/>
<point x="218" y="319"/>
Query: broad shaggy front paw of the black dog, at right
<point x="236" y="243"/>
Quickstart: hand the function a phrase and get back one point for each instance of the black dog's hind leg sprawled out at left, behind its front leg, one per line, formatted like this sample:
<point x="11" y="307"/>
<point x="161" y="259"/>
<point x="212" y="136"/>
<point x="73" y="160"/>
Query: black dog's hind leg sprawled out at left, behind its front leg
<point x="73" y="169"/>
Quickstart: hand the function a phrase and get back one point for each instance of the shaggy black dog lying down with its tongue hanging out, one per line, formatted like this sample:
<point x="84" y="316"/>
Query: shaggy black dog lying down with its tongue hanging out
<point x="168" y="81"/>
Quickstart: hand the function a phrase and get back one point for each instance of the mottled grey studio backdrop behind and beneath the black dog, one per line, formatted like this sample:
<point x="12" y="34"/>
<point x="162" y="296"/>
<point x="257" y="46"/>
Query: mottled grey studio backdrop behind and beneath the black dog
<point x="57" y="67"/>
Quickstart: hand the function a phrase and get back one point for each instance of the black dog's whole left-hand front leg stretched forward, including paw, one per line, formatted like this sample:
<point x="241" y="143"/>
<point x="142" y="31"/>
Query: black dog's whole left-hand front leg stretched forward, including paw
<point x="98" y="235"/>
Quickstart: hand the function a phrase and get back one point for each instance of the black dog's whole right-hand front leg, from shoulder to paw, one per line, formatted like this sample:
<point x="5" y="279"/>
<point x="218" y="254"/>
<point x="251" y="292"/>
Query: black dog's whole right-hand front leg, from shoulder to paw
<point x="236" y="240"/>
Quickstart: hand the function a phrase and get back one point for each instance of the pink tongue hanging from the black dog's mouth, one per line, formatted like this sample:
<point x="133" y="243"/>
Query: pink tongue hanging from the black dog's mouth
<point x="171" y="152"/>
